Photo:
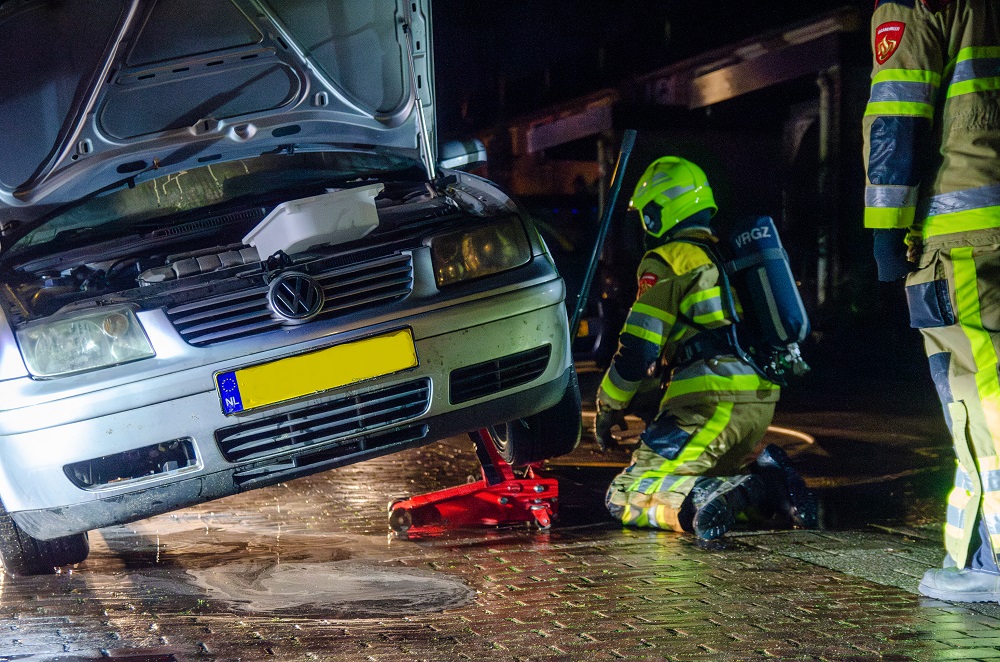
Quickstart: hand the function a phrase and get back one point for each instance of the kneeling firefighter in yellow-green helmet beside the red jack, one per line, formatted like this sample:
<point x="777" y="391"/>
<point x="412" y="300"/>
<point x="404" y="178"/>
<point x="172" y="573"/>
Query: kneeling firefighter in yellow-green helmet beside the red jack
<point x="695" y="469"/>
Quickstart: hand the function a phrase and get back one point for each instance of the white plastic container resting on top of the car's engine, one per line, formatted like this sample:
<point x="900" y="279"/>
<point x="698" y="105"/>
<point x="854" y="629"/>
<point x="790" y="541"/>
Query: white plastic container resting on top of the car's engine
<point x="330" y="218"/>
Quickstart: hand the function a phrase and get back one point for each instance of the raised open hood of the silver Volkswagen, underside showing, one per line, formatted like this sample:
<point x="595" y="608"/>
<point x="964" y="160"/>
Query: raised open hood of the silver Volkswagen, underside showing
<point x="111" y="91"/>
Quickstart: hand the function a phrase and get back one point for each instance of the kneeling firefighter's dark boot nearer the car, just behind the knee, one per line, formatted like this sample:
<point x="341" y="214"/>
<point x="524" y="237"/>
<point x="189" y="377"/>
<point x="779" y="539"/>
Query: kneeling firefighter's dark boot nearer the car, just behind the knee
<point x="719" y="501"/>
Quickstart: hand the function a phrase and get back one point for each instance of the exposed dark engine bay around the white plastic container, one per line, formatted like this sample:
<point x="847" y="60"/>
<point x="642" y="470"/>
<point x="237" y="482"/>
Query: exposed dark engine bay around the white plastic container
<point x="166" y="260"/>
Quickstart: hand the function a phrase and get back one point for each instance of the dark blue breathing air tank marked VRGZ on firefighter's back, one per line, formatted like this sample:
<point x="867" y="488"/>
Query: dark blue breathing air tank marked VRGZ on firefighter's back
<point x="757" y="267"/>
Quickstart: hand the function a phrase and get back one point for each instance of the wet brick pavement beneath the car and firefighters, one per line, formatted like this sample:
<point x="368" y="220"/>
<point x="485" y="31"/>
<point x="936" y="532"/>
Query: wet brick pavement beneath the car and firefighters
<point x="305" y="570"/>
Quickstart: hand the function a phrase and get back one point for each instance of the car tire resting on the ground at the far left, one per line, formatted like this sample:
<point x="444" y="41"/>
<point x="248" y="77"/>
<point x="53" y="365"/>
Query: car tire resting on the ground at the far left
<point x="21" y="554"/>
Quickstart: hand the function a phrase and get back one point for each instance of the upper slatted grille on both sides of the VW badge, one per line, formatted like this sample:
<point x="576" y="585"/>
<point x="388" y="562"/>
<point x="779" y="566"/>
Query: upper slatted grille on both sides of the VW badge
<point x="346" y="289"/>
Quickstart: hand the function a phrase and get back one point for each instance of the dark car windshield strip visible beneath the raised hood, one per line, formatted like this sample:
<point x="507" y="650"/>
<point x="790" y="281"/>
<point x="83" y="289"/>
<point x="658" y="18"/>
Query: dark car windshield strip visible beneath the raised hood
<point x="157" y="203"/>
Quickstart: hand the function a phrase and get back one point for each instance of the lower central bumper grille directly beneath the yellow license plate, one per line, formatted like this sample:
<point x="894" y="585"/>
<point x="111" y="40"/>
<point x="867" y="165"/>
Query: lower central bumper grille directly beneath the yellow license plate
<point x="342" y="418"/>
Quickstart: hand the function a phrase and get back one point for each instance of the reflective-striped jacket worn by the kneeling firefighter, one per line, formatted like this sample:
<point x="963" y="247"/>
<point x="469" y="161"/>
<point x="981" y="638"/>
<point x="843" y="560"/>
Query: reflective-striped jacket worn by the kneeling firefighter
<point x="680" y="299"/>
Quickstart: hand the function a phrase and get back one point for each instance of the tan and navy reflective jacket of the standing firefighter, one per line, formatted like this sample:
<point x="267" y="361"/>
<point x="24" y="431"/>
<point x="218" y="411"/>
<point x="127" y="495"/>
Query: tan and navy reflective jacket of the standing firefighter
<point x="932" y="124"/>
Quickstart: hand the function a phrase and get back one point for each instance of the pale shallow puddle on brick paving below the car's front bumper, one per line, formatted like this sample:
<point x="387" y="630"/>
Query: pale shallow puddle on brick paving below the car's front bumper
<point x="327" y="576"/>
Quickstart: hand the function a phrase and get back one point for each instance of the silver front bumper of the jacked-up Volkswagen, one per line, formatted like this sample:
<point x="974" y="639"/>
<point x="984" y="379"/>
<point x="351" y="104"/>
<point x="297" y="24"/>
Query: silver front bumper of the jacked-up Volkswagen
<point x="42" y="499"/>
